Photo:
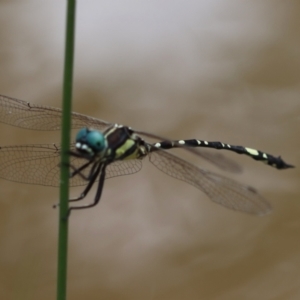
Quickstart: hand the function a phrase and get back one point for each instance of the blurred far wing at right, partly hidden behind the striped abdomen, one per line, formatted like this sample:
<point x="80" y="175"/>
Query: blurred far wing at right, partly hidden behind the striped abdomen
<point x="217" y="159"/>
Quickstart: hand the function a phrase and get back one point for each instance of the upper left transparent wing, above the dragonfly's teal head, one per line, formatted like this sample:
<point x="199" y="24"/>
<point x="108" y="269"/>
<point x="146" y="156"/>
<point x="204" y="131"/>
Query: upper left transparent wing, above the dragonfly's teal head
<point x="37" y="117"/>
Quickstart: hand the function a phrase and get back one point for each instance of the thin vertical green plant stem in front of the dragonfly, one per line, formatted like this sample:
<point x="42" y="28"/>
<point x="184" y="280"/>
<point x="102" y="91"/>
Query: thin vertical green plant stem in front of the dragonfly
<point x="65" y="142"/>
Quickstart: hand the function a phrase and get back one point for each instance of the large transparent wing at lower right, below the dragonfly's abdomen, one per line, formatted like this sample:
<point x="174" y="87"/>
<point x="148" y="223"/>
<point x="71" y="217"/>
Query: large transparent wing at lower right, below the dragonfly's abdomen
<point x="219" y="189"/>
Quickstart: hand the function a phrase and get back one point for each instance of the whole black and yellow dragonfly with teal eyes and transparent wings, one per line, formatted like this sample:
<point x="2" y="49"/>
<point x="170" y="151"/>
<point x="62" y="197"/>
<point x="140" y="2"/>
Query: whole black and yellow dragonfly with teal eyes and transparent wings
<point x="103" y="150"/>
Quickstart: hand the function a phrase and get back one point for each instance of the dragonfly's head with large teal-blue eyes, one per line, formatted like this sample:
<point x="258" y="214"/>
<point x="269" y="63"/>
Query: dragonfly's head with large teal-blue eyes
<point x="90" y="141"/>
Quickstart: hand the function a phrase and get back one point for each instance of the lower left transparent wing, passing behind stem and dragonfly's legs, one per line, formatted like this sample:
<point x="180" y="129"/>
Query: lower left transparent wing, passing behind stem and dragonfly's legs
<point x="40" y="164"/>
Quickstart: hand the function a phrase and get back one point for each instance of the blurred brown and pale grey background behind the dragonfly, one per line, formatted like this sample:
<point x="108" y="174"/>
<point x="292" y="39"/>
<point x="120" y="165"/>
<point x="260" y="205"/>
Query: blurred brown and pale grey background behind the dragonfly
<point x="215" y="70"/>
